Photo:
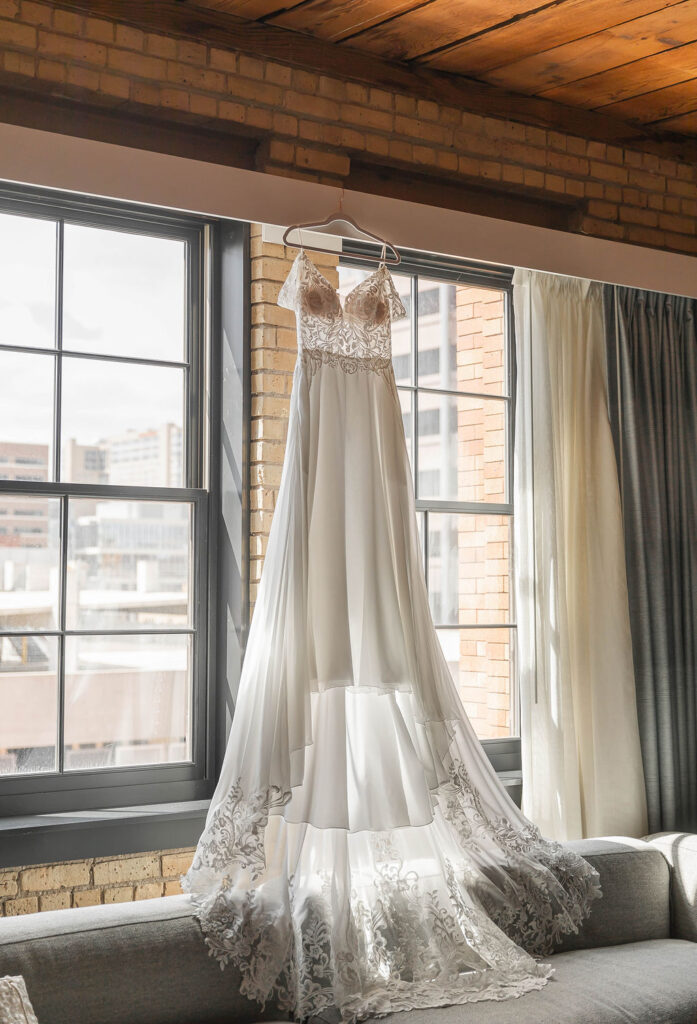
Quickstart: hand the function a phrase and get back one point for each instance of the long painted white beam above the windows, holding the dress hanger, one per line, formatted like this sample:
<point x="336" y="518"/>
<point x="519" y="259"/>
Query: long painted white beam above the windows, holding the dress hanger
<point x="63" y="162"/>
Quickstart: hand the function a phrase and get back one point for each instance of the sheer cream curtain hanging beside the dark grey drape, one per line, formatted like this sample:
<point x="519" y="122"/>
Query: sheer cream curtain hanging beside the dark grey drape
<point x="582" y="757"/>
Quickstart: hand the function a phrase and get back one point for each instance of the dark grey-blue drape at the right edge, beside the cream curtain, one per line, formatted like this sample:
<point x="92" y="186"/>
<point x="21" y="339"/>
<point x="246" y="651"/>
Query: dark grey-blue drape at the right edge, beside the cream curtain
<point x="652" y="379"/>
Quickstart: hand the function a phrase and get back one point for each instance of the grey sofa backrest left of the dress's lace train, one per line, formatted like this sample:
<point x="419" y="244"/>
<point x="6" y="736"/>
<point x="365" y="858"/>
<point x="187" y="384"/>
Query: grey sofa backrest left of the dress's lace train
<point x="125" y="964"/>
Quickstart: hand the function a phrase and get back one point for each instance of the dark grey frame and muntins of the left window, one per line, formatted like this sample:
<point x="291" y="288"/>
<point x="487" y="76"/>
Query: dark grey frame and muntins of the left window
<point x="140" y="785"/>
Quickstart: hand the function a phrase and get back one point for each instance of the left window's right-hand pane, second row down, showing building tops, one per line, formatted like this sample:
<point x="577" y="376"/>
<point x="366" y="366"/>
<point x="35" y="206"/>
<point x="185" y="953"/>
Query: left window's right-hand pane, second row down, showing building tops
<point x="122" y="423"/>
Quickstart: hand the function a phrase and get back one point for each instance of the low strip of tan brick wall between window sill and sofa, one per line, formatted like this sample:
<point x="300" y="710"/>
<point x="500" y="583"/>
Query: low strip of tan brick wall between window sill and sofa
<point x="88" y="883"/>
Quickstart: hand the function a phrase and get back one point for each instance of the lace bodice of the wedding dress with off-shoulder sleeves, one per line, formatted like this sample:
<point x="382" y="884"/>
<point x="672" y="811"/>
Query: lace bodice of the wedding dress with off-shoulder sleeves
<point x="359" y="330"/>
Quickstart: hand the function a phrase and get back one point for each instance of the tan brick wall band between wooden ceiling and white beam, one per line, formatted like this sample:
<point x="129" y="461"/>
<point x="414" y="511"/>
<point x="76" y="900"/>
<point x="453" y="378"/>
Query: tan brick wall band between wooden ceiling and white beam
<point x="315" y="126"/>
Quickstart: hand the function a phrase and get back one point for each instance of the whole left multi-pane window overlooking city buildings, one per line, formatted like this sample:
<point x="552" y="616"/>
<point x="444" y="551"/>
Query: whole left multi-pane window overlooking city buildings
<point x="104" y="494"/>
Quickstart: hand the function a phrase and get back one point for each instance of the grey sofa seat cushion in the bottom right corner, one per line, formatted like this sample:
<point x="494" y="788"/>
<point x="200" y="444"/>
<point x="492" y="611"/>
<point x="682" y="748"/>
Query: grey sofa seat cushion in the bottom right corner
<point x="651" y="983"/>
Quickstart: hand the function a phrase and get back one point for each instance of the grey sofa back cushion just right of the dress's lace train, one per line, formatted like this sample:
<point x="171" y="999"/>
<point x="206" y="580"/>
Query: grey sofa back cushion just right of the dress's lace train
<point x="635" y="879"/>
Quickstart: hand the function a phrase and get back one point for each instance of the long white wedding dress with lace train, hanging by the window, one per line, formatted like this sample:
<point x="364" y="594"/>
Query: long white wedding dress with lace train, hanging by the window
<point x="360" y="851"/>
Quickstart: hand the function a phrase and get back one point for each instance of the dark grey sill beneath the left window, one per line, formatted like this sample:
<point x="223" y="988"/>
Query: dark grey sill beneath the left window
<point x="45" y="839"/>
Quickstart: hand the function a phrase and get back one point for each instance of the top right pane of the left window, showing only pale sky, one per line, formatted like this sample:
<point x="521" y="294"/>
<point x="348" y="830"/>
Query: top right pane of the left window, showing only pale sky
<point x="124" y="294"/>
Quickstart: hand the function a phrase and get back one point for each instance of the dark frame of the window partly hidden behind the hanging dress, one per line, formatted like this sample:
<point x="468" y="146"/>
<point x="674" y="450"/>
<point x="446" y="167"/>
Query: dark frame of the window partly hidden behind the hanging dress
<point x="504" y="751"/>
